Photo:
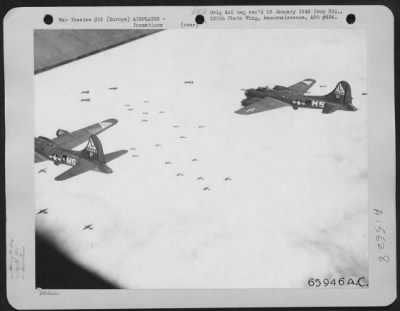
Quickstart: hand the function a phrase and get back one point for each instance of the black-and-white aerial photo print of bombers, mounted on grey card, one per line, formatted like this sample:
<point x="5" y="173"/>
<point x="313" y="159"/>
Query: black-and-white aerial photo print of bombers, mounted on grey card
<point x="201" y="159"/>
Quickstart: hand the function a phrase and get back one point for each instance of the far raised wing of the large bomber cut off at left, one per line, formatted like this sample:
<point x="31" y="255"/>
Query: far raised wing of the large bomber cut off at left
<point x="73" y="139"/>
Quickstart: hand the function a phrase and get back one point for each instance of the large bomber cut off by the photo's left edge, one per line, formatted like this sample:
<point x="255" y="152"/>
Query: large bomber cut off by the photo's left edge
<point x="59" y="150"/>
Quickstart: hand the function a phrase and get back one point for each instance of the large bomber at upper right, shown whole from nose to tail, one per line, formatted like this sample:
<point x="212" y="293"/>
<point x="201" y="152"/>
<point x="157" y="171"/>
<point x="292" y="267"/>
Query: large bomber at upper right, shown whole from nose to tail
<point x="264" y="98"/>
